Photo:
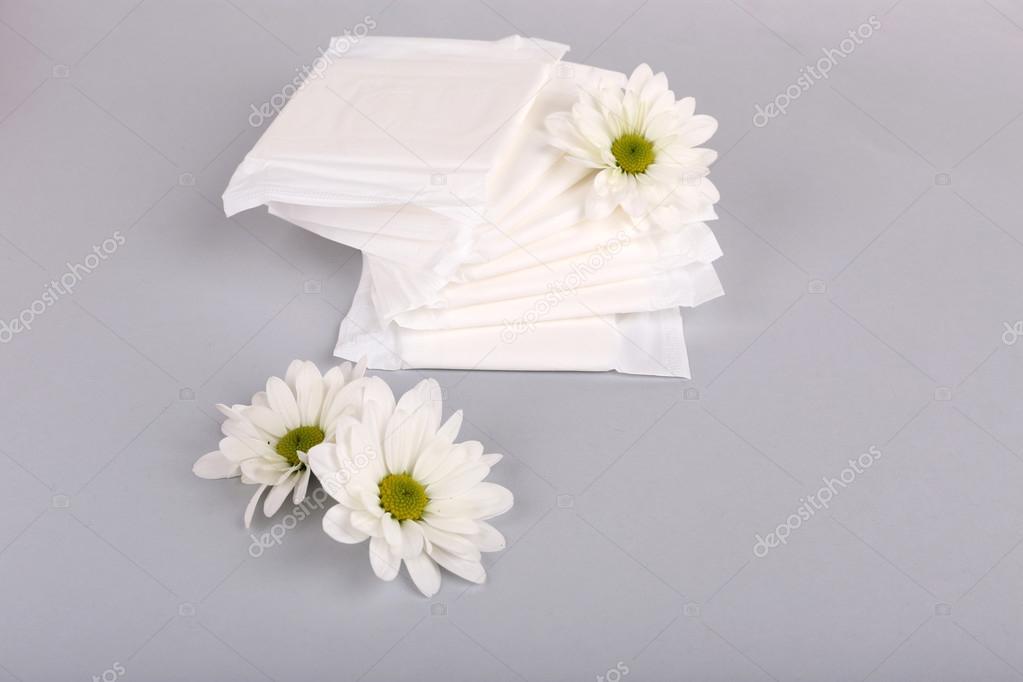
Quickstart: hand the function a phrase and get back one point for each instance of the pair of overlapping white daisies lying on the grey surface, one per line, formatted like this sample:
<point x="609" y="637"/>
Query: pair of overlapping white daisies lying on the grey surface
<point x="398" y="478"/>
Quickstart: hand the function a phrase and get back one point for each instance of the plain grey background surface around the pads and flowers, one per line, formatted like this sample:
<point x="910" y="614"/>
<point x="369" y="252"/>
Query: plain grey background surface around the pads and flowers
<point x="873" y="260"/>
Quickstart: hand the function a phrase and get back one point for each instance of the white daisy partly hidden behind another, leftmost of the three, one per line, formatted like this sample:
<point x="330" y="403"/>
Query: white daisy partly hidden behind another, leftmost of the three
<point x="266" y="443"/>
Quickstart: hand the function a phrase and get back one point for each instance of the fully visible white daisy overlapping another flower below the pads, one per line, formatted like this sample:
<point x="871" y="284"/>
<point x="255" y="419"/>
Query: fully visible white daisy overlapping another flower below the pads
<point x="403" y="482"/>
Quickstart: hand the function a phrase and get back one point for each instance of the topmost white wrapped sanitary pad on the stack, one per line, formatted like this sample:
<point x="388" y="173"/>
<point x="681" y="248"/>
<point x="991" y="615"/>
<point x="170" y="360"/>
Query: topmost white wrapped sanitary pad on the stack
<point x="397" y="118"/>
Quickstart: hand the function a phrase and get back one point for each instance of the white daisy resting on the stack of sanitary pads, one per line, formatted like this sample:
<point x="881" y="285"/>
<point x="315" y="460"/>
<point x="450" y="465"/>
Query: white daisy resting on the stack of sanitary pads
<point x="645" y="146"/>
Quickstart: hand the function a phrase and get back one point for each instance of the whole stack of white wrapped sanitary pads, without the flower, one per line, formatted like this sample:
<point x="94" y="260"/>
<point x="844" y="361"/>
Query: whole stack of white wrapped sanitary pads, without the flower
<point x="435" y="159"/>
